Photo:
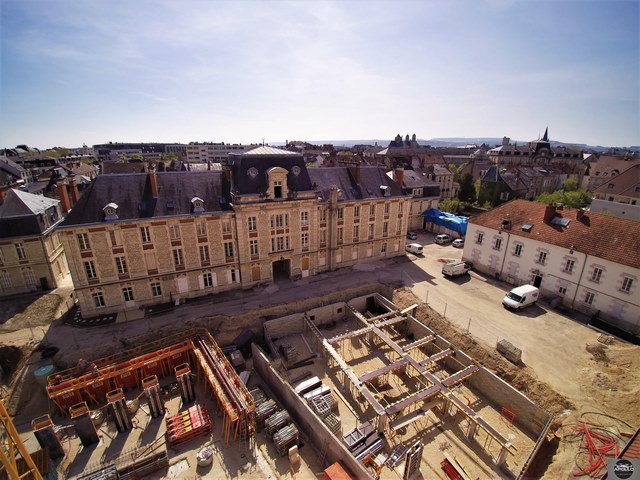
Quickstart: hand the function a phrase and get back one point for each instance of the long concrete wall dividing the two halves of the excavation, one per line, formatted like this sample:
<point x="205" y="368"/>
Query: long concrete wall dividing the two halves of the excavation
<point x="306" y="421"/>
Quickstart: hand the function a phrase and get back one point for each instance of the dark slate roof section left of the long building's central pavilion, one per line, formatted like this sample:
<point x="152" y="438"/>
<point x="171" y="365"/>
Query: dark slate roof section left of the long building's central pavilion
<point x="132" y="193"/>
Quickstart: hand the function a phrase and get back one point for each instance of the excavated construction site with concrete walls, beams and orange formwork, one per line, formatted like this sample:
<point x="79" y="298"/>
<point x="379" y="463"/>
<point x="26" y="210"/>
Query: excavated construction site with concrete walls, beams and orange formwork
<point x="351" y="387"/>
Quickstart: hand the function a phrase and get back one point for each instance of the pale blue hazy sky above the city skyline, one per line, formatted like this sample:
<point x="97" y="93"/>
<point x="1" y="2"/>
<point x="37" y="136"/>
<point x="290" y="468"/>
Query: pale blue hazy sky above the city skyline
<point x="94" y="71"/>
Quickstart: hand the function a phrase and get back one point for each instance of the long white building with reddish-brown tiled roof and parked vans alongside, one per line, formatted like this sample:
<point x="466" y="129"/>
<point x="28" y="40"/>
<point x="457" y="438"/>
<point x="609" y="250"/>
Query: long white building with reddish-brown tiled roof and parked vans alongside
<point x="590" y="261"/>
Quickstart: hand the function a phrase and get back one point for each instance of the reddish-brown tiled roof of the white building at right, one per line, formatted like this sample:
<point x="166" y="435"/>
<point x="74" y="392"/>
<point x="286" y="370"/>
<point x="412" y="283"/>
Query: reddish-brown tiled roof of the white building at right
<point x="603" y="236"/>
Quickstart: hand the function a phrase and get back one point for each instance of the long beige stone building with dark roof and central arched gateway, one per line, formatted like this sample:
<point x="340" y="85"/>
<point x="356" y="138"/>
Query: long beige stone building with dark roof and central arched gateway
<point x="139" y="240"/>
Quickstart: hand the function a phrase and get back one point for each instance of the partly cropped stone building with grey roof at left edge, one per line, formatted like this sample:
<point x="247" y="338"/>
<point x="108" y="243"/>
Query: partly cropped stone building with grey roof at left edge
<point x="31" y="255"/>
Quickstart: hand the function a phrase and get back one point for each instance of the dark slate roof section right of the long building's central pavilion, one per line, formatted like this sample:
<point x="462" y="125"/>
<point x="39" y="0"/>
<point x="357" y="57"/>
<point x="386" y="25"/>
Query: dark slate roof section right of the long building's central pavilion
<point x="371" y="179"/>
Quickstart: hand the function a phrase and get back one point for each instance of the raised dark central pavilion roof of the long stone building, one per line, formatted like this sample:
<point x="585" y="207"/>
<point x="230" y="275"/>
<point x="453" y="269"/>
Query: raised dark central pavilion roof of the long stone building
<point x="242" y="162"/>
